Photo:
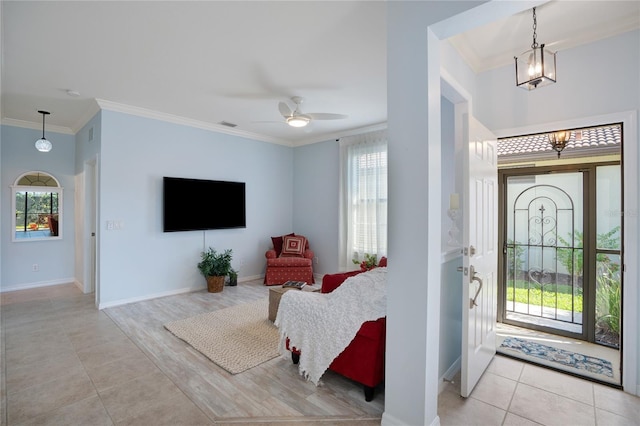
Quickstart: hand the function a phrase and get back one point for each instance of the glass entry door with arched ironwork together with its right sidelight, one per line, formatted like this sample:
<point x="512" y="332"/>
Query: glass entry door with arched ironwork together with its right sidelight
<point x="562" y="251"/>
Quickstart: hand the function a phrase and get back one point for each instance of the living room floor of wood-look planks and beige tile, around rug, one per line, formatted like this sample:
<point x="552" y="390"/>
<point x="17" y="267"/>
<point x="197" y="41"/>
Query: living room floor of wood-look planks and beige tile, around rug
<point x="124" y="367"/>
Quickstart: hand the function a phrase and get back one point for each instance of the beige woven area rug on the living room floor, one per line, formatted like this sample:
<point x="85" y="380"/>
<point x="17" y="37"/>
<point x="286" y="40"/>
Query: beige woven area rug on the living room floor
<point x="236" y="338"/>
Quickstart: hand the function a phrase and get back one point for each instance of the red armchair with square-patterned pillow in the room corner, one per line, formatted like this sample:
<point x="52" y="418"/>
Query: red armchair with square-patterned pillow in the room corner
<point x="290" y="259"/>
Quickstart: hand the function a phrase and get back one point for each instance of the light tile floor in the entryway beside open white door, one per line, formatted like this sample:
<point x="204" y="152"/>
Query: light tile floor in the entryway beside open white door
<point x="512" y="392"/>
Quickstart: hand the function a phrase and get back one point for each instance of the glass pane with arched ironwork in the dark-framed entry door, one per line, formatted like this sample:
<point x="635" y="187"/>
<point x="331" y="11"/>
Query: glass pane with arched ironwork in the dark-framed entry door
<point x="544" y="251"/>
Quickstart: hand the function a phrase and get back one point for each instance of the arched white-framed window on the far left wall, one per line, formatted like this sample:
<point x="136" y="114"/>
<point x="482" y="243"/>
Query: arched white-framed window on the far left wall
<point x="37" y="207"/>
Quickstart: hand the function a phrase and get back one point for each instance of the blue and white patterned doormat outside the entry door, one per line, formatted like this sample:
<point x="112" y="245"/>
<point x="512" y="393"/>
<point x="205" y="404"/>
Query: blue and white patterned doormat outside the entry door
<point x="575" y="360"/>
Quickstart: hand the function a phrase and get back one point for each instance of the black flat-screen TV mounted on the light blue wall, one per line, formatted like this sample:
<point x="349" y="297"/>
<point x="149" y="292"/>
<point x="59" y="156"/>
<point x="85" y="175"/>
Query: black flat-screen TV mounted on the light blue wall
<point x="197" y="204"/>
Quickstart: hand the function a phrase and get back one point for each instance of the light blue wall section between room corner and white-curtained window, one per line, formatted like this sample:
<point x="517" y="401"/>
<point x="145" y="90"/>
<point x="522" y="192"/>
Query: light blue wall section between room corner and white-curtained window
<point x="315" y="213"/>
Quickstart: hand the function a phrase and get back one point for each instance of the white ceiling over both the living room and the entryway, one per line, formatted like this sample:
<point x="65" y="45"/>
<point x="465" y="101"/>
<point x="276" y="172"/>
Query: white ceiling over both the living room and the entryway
<point x="205" y="62"/>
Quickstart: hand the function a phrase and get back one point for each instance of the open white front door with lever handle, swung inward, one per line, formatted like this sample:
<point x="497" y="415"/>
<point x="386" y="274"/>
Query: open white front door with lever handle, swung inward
<point x="479" y="281"/>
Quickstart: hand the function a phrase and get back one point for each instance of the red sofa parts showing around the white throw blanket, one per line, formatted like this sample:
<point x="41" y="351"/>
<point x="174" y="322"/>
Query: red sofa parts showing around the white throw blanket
<point x="363" y="360"/>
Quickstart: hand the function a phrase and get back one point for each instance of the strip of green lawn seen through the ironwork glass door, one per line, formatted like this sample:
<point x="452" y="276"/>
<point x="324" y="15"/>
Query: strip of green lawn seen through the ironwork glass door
<point x="532" y="296"/>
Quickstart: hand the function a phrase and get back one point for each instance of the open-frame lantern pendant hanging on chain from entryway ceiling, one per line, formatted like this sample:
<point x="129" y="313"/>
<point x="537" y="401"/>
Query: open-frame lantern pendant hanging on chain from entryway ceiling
<point x="536" y="67"/>
